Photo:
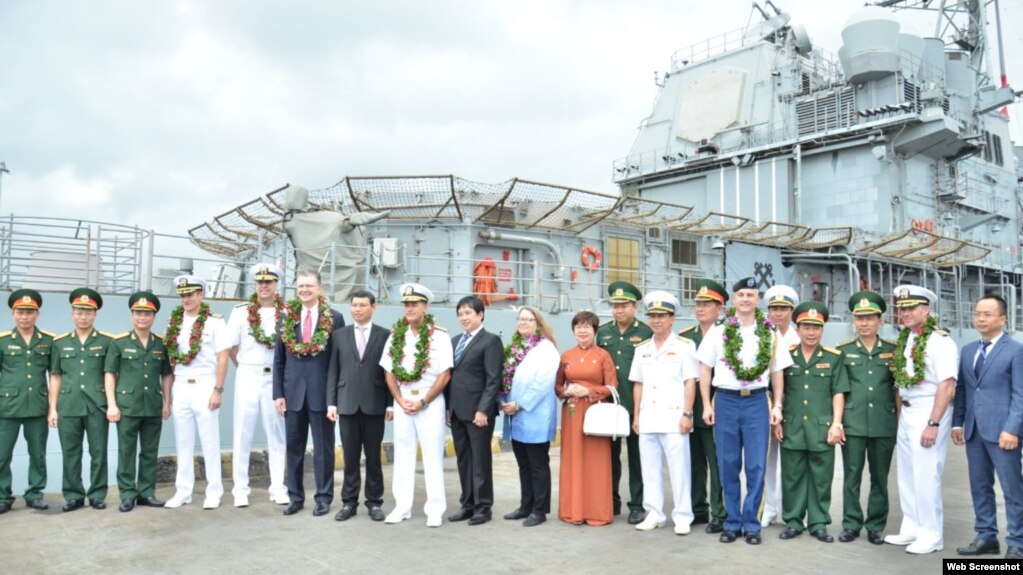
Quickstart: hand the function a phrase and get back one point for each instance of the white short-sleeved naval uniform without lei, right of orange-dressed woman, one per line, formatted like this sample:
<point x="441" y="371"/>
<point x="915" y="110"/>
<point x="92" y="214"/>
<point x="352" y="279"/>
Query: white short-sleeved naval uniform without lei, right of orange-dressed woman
<point x="662" y="374"/>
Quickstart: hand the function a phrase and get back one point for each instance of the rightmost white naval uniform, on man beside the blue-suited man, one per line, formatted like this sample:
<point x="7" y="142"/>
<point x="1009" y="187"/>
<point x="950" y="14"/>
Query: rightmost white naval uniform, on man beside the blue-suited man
<point x="920" y="468"/>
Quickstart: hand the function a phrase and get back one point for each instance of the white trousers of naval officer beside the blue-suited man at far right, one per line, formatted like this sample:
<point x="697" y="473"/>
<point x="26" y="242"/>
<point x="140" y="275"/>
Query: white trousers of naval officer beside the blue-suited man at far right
<point x="920" y="472"/>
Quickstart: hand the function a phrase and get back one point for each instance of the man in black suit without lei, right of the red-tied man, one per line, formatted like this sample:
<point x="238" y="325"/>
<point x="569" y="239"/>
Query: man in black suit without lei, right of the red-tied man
<point x="358" y="399"/>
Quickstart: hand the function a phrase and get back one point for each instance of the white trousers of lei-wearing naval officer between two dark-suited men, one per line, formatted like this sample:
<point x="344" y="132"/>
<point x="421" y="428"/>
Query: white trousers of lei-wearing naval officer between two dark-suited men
<point x="427" y="429"/>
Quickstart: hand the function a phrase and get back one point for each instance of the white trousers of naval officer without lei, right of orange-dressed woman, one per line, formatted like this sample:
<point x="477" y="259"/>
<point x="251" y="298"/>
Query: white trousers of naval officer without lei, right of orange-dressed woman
<point x="655" y="449"/>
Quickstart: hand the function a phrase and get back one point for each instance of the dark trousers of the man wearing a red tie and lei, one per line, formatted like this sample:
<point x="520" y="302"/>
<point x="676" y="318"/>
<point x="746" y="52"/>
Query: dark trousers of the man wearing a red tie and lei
<point x="297" y="428"/>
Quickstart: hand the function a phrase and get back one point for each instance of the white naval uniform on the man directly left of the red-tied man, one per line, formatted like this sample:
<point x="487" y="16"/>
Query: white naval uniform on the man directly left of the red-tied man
<point x="254" y="401"/>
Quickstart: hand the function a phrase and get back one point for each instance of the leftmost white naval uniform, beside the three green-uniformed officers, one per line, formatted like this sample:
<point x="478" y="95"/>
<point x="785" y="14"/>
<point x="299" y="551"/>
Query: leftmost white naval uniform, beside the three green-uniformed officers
<point x="193" y="388"/>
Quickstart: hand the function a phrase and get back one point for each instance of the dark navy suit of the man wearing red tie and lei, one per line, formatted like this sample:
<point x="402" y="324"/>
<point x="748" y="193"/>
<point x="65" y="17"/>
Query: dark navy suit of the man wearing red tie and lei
<point x="301" y="380"/>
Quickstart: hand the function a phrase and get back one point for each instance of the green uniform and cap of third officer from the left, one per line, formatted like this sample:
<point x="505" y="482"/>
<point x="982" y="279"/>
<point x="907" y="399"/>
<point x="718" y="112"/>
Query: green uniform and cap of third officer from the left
<point x="140" y="371"/>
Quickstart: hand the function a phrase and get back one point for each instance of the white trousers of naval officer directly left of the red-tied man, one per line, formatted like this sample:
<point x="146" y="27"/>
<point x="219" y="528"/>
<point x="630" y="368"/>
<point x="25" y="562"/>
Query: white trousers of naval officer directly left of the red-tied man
<point x="254" y="401"/>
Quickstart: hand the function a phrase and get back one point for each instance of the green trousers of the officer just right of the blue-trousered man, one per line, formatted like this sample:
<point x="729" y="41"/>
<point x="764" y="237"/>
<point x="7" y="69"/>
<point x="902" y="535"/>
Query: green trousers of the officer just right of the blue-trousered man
<point x="807" y="479"/>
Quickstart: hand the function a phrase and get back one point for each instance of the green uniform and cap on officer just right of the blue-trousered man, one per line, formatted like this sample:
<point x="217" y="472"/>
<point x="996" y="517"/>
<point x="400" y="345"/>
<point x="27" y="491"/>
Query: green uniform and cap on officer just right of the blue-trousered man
<point x="808" y="461"/>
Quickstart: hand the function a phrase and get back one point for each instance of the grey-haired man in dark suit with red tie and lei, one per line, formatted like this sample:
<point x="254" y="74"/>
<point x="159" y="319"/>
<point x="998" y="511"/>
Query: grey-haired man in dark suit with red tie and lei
<point x="300" y="364"/>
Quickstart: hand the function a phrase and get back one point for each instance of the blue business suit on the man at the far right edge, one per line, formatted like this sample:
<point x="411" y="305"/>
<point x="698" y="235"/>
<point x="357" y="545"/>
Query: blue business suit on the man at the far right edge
<point x="985" y="408"/>
